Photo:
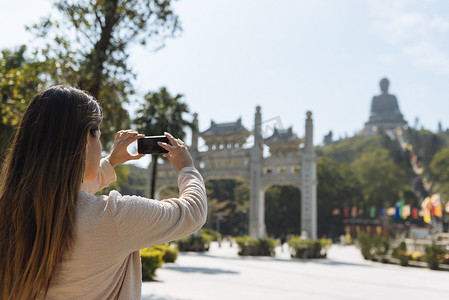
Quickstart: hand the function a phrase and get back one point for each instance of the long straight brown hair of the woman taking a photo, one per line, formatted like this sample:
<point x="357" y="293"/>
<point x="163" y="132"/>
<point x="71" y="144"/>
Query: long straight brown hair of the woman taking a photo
<point x="39" y="186"/>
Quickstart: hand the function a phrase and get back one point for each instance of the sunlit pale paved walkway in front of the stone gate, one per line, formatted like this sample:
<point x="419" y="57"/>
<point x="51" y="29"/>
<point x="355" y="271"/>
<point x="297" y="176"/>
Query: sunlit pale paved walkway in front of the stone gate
<point x="222" y="274"/>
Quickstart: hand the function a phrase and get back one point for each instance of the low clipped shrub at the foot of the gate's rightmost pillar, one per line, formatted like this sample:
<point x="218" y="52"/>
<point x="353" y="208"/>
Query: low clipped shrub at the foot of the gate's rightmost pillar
<point x="308" y="248"/>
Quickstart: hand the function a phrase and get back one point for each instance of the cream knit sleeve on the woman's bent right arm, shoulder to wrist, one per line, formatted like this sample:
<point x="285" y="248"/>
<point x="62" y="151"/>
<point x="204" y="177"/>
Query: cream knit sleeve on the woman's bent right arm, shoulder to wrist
<point x="142" y="222"/>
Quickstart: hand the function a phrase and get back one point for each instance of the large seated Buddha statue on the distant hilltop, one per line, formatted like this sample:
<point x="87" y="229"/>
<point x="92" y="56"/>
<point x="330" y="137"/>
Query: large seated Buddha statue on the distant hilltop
<point x="385" y="113"/>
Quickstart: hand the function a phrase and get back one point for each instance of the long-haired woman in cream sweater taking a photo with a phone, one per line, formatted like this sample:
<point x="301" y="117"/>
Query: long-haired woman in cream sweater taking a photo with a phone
<point x="59" y="241"/>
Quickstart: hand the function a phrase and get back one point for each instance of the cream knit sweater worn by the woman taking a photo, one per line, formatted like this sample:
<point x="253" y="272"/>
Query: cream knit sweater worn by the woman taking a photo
<point x="105" y="262"/>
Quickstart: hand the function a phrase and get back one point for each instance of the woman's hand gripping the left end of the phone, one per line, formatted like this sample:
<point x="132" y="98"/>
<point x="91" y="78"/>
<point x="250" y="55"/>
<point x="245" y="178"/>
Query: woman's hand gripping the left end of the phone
<point x="119" y="153"/>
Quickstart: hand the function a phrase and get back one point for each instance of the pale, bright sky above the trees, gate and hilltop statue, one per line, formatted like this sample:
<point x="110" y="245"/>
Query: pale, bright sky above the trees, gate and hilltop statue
<point x="290" y="56"/>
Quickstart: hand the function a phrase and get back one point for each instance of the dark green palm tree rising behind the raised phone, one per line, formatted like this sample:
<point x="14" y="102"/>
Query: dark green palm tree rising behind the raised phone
<point x="161" y="113"/>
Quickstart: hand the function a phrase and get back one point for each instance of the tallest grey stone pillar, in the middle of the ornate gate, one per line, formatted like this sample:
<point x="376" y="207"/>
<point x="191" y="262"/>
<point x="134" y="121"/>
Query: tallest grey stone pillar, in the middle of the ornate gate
<point x="257" y="207"/>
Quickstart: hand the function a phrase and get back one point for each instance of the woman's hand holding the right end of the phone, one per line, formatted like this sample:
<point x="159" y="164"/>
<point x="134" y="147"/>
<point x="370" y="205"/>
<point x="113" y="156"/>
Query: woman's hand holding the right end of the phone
<point x="178" y="154"/>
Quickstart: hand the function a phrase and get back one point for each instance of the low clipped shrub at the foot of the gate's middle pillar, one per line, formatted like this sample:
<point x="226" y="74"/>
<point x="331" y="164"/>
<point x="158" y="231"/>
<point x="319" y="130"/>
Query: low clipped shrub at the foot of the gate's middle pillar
<point x="255" y="247"/>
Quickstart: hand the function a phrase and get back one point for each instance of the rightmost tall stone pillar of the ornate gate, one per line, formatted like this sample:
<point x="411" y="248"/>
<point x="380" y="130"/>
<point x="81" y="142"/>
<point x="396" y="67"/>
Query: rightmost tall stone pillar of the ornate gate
<point x="309" y="183"/>
